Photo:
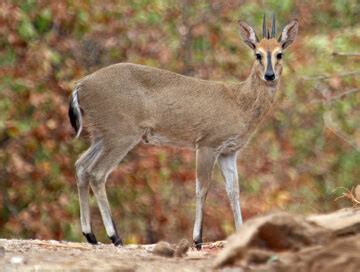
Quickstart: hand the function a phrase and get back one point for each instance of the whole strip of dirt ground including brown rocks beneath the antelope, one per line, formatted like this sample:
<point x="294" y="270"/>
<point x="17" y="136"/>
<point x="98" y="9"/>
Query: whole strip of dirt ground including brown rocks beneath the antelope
<point x="272" y="242"/>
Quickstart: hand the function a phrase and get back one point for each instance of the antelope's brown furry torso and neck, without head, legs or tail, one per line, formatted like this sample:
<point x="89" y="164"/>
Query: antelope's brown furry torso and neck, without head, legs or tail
<point x="168" y="108"/>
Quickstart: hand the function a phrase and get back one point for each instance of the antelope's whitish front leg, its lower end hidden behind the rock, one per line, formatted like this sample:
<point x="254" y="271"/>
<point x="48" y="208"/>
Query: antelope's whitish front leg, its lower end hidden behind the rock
<point x="229" y="171"/>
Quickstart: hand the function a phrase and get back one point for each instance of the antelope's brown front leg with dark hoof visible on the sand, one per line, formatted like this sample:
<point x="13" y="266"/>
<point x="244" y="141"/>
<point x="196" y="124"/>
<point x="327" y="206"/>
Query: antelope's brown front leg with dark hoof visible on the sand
<point x="205" y="159"/>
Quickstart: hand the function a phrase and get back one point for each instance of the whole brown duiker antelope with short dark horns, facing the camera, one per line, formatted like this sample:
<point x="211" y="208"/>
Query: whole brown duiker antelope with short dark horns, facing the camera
<point x="124" y="104"/>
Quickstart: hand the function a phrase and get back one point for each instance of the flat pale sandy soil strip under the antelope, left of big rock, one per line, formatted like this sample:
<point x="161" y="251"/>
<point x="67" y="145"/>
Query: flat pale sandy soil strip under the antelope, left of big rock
<point x="37" y="255"/>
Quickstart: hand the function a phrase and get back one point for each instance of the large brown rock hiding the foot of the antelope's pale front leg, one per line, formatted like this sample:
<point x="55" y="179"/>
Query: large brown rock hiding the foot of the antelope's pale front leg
<point x="276" y="233"/>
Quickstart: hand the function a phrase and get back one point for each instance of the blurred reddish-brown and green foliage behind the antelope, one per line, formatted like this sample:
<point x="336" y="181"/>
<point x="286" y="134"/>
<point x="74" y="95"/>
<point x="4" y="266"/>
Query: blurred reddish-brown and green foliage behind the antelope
<point x="306" y="148"/>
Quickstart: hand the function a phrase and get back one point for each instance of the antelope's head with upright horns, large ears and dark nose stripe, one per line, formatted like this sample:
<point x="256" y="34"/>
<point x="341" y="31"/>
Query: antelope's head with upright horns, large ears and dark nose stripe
<point x="268" y="51"/>
